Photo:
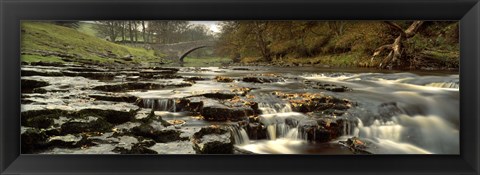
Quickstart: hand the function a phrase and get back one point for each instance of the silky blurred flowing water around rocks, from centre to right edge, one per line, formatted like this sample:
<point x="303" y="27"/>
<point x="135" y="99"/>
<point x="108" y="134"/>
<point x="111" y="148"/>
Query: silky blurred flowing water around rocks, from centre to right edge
<point x="395" y="112"/>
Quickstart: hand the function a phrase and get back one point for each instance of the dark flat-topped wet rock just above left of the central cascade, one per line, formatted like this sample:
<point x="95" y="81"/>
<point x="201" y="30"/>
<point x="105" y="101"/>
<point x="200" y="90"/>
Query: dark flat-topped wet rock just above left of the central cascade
<point x="224" y="113"/>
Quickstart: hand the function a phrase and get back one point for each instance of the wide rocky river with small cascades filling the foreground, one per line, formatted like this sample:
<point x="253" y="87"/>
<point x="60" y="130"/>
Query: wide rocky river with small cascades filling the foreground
<point x="390" y="112"/>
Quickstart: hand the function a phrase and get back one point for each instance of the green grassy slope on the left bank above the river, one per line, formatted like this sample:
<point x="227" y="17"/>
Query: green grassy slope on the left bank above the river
<point x="43" y="36"/>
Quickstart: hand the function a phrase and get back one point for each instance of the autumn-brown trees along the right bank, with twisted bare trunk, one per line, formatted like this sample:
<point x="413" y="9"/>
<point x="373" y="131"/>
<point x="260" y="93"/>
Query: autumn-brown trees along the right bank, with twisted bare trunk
<point x="367" y="43"/>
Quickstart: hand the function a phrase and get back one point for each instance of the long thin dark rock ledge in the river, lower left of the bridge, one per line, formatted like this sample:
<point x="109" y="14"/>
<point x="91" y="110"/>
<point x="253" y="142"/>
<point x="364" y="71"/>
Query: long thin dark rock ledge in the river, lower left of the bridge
<point x="138" y="86"/>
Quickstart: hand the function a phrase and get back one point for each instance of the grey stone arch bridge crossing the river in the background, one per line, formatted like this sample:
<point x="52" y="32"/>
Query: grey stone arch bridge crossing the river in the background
<point x="178" y="51"/>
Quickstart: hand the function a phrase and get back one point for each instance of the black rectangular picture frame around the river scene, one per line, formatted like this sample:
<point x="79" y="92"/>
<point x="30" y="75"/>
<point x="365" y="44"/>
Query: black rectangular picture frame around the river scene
<point x="13" y="11"/>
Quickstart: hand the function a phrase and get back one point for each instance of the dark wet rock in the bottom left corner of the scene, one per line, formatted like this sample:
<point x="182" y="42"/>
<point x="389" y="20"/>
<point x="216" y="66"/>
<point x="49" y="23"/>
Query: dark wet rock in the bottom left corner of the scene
<point x="33" y="140"/>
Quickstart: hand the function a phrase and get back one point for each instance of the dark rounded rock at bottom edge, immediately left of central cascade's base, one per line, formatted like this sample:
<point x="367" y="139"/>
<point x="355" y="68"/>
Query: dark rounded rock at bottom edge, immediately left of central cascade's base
<point x="212" y="140"/>
